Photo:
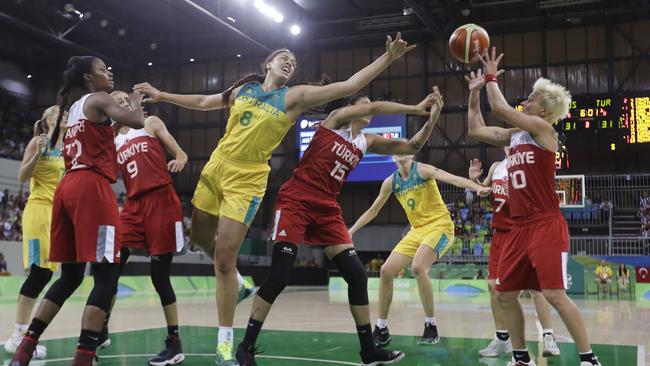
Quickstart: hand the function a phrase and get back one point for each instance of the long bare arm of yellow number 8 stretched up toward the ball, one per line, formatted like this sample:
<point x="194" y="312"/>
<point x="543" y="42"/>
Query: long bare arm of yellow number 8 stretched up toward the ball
<point x="302" y="97"/>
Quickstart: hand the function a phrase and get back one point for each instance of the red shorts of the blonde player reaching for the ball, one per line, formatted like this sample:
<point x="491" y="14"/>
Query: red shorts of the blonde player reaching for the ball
<point x="535" y="256"/>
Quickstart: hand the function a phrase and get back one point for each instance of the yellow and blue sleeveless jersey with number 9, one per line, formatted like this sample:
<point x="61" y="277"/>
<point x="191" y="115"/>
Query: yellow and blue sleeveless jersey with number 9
<point x="419" y="197"/>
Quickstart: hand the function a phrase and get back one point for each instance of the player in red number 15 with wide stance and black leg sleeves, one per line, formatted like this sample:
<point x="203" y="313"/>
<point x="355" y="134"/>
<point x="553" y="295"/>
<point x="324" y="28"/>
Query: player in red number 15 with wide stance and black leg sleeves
<point x="307" y="211"/>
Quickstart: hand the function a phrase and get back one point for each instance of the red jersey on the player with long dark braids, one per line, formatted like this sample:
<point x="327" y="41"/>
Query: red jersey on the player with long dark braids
<point x="88" y="145"/>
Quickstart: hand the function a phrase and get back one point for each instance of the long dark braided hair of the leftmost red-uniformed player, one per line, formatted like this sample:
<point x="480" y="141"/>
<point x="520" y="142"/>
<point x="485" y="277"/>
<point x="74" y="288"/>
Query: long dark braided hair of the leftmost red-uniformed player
<point x="73" y="78"/>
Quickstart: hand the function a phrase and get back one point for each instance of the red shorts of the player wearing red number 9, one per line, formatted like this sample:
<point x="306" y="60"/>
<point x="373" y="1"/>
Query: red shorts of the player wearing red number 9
<point x="153" y="222"/>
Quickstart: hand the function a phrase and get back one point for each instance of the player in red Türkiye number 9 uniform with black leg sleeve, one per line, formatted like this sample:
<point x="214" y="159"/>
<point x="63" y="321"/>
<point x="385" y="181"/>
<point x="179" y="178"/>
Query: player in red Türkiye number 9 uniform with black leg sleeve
<point x="152" y="216"/>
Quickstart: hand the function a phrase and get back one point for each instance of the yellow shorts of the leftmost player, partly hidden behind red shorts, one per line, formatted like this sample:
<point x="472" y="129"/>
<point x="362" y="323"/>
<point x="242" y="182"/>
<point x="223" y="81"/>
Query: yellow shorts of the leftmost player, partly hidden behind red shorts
<point x="37" y="221"/>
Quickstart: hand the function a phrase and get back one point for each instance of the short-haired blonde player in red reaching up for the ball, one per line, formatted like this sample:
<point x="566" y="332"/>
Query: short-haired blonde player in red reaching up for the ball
<point x="536" y="254"/>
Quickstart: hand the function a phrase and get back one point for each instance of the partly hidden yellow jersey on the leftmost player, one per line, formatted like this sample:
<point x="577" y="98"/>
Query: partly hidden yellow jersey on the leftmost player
<point x="47" y="175"/>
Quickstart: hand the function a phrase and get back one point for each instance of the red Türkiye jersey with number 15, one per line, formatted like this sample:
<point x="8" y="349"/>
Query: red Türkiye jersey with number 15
<point x="328" y="160"/>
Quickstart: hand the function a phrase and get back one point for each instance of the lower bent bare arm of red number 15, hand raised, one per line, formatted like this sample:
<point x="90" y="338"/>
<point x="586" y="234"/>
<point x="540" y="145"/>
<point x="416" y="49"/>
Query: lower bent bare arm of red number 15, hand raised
<point x="380" y="145"/>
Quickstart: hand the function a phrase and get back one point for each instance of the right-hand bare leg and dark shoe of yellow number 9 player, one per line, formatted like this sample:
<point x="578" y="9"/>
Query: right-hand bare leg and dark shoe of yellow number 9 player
<point x="424" y="258"/>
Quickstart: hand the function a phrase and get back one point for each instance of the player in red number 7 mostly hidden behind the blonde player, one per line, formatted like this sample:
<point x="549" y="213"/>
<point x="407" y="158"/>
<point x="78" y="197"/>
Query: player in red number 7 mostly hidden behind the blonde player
<point x="497" y="178"/>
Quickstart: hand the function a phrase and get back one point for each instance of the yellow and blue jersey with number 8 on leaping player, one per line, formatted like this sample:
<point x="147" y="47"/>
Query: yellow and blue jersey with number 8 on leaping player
<point x="257" y="124"/>
